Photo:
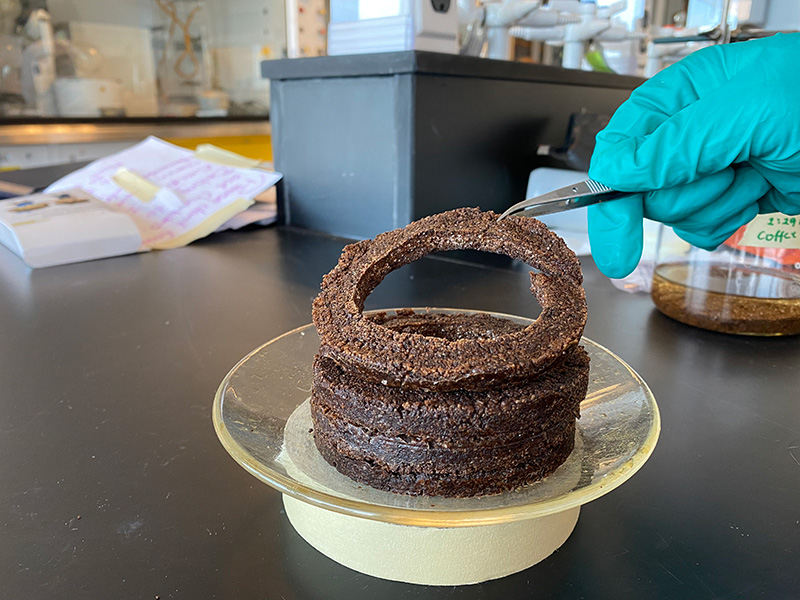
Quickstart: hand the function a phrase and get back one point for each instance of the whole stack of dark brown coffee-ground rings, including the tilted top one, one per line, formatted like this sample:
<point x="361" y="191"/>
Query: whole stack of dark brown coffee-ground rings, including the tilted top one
<point x="449" y="404"/>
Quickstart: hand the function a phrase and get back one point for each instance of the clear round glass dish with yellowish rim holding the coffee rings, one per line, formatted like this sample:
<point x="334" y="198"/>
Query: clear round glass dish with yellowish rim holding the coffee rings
<point x="266" y="390"/>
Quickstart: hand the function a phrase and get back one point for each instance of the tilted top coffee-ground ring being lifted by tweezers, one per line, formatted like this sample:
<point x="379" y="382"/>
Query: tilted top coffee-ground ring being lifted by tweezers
<point x="411" y="360"/>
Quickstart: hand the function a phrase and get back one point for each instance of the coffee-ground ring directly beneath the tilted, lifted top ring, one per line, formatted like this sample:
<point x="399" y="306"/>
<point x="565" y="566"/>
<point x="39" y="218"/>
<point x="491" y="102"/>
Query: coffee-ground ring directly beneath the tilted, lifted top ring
<point x="458" y="417"/>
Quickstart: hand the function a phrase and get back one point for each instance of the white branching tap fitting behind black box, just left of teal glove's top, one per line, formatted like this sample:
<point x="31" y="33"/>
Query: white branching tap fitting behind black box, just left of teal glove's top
<point x="595" y="24"/>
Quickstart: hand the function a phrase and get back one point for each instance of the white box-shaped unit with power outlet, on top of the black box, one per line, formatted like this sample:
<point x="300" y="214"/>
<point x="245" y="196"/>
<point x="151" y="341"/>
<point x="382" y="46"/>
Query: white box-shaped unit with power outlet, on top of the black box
<point x="367" y="26"/>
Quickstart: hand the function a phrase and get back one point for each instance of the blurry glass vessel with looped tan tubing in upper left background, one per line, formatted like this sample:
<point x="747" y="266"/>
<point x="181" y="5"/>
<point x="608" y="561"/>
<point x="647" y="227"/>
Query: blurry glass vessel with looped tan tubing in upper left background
<point x="182" y="58"/>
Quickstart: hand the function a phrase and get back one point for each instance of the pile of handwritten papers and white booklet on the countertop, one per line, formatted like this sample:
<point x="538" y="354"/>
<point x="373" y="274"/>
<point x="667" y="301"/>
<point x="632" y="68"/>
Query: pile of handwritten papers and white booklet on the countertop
<point x="151" y="196"/>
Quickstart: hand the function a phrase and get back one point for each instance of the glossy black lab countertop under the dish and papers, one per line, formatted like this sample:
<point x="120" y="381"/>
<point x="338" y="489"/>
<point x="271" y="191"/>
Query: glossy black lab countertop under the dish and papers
<point x="113" y="483"/>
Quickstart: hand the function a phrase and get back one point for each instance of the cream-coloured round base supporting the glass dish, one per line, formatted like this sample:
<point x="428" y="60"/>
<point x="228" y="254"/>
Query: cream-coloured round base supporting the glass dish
<point x="430" y="555"/>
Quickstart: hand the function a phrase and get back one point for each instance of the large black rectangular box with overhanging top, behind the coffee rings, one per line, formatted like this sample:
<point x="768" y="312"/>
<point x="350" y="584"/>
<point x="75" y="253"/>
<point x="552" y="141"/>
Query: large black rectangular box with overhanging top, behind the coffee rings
<point x="368" y="143"/>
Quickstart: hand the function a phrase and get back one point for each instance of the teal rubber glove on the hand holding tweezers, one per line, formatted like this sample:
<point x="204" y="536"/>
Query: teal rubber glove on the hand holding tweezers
<point x="678" y="137"/>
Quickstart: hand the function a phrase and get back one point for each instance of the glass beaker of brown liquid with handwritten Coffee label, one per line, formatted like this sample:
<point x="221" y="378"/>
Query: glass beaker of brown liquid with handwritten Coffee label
<point x="750" y="285"/>
